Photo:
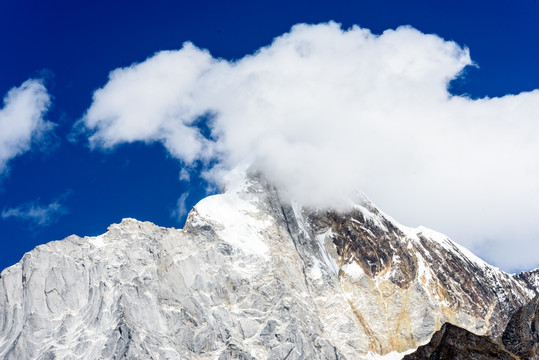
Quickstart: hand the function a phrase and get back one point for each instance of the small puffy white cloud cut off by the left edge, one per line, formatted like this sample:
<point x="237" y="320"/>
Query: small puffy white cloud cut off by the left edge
<point x="21" y="119"/>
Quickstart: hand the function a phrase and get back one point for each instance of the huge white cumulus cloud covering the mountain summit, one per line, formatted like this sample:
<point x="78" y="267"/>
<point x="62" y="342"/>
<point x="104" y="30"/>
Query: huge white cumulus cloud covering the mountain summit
<point x="325" y="112"/>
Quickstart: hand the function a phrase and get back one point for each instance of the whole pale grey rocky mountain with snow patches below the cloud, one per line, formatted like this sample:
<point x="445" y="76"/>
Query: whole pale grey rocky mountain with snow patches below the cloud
<point x="251" y="277"/>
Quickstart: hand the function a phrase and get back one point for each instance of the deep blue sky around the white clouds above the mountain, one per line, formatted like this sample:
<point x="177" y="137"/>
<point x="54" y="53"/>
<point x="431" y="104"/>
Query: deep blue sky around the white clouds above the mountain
<point x="61" y="186"/>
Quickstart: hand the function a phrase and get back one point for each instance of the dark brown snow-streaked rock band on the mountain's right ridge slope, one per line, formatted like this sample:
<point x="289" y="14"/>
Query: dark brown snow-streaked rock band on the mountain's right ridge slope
<point x="378" y="245"/>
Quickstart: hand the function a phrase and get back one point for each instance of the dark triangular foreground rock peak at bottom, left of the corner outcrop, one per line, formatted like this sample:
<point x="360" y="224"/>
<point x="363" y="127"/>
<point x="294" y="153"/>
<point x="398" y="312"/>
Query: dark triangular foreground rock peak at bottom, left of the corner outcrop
<point x="454" y="343"/>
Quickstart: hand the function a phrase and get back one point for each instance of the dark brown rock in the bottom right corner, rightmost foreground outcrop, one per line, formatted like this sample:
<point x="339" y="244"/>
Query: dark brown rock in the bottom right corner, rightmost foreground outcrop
<point x="522" y="333"/>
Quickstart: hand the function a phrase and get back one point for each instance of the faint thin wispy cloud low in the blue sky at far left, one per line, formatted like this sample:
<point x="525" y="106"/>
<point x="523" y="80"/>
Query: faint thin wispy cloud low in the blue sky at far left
<point x="36" y="213"/>
